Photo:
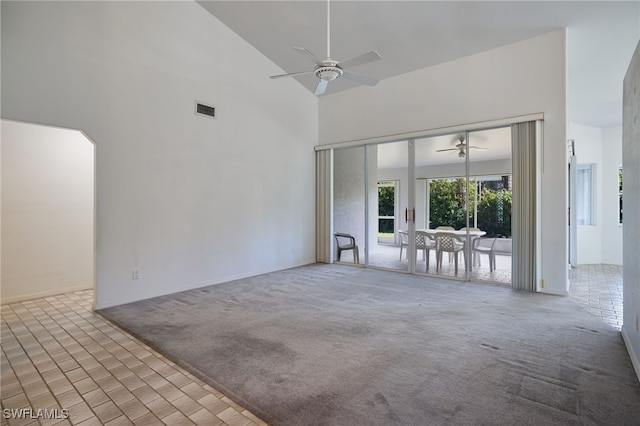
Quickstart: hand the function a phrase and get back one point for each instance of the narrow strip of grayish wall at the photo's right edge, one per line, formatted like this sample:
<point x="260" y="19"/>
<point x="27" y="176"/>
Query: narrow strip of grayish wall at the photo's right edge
<point x="631" y="242"/>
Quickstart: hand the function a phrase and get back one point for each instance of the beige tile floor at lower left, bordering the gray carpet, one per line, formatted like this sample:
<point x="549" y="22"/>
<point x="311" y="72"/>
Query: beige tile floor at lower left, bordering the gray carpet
<point x="58" y="355"/>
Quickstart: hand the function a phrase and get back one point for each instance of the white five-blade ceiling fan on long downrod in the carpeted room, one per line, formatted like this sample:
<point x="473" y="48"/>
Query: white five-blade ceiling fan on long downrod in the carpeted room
<point x="329" y="69"/>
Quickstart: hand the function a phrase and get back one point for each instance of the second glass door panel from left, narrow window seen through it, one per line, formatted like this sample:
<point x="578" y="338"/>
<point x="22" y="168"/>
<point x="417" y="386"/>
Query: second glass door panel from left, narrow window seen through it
<point x="387" y="177"/>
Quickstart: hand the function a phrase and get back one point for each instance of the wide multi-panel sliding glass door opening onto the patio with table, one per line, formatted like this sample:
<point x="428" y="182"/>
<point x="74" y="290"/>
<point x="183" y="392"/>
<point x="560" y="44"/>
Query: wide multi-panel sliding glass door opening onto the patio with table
<point x="437" y="206"/>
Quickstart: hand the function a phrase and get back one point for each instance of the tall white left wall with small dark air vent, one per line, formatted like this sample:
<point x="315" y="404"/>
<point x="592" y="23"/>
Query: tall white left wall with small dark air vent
<point x="188" y="200"/>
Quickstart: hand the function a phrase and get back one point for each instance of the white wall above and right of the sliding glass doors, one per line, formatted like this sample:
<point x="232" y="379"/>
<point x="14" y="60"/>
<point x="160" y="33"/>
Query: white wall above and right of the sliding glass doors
<point x="523" y="78"/>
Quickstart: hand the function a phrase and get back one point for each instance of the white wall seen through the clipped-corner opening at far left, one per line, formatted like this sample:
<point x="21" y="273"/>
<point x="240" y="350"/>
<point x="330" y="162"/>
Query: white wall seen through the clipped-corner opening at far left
<point x="47" y="211"/>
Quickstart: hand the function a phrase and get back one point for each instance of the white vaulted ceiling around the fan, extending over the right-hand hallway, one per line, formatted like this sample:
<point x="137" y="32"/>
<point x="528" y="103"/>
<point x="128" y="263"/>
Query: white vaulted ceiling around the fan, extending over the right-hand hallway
<point x="410" y="35"/>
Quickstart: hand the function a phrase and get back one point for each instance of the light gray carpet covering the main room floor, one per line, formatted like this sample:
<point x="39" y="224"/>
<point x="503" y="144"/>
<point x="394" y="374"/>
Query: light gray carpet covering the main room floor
<point x="338" y="345"/>
